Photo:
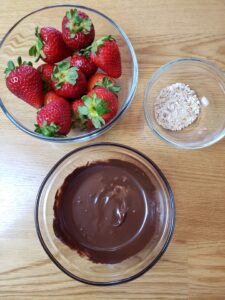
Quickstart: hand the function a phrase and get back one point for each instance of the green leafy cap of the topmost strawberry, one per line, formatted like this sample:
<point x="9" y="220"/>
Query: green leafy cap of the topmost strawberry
<point x="76" y="23"/>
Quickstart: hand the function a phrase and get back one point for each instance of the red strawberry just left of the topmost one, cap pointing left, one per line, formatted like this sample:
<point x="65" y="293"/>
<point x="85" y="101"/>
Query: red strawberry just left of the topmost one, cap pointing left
<point x="49" y="46"/>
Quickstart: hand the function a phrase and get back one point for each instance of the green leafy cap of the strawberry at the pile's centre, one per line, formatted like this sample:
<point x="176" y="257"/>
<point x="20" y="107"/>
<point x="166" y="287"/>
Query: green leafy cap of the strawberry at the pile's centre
<point x="64" y="73"/>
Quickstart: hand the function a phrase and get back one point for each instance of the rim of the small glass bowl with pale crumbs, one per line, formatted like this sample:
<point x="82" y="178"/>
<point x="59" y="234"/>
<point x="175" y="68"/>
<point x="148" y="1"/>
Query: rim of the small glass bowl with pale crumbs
<point x="149" y="85"/>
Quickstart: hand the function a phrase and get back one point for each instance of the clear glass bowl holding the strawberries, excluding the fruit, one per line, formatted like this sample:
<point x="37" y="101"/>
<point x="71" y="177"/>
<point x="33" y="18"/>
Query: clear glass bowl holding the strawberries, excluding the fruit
<point x="20" y="38"/>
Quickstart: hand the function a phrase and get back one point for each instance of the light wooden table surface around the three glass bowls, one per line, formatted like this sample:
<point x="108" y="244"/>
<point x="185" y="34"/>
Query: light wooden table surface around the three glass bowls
<point x="194" y="265"/>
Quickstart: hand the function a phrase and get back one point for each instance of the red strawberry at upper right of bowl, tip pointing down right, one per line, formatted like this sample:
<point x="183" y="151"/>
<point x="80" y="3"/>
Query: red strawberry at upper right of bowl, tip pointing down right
<point x="106" y="55"/>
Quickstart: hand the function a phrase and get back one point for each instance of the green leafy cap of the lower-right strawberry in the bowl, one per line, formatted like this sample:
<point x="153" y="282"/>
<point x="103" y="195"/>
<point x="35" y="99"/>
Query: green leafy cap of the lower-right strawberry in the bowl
<point x="93" y="109"/>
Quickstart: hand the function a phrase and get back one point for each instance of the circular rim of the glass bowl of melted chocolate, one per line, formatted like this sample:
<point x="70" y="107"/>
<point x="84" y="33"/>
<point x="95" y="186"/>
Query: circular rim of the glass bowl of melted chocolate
<point x="171" y="200"/>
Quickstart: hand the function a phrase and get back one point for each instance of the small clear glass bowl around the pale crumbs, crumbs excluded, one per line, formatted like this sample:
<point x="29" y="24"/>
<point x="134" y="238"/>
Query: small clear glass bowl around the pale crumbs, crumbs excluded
<point x="209" y="84"/>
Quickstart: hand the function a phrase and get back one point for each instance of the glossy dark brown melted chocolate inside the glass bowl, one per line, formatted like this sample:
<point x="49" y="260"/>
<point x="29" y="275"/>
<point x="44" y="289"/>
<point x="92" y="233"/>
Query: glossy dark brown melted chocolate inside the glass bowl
<point x="106" y="210"/>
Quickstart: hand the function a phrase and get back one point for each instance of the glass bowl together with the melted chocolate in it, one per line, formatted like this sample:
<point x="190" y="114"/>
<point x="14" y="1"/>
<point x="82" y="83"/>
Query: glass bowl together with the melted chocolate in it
<point x="105" y="214"/>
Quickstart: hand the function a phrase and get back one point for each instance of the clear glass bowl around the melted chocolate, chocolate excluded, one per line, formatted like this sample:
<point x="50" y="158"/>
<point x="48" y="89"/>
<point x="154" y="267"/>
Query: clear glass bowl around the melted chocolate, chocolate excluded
<point x="69" y="261"/>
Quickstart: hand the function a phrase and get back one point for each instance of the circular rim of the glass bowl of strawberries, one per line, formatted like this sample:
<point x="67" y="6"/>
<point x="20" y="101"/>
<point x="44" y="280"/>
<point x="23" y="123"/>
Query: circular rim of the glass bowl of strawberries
<point x="127" y="101"/>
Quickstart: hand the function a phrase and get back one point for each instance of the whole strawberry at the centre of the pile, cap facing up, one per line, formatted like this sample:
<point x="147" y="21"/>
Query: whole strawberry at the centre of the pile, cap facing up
<point x="67" y="81"/>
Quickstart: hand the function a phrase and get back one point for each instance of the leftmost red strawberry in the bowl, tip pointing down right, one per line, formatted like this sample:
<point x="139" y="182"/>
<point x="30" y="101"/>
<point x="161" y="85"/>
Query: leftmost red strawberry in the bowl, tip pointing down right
<point x="25" y="82"/>
